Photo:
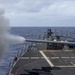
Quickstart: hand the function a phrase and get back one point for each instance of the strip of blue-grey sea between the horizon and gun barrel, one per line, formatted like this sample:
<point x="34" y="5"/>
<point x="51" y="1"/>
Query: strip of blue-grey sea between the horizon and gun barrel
<point x="33" y="32"/>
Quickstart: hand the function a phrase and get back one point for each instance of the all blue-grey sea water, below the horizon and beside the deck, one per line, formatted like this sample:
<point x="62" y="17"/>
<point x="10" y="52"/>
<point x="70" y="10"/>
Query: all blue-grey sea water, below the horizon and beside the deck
<point x="28" y="33"/>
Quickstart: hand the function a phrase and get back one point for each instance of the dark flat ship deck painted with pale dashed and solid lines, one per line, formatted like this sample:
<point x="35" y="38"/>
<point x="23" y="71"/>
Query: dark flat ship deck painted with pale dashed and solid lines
<point x="46" y="62"/>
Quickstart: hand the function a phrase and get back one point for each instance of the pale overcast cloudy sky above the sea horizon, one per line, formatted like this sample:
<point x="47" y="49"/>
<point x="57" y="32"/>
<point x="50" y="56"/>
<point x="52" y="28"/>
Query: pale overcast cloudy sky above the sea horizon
<point x="43" y="13"/>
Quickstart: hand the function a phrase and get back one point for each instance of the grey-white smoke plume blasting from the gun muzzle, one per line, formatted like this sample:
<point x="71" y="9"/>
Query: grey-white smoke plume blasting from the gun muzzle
<point x="5" y="37"/>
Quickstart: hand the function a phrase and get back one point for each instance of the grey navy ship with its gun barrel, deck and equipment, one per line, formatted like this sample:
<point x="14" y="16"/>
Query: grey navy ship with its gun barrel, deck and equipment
<point x="53" y="55"/>
